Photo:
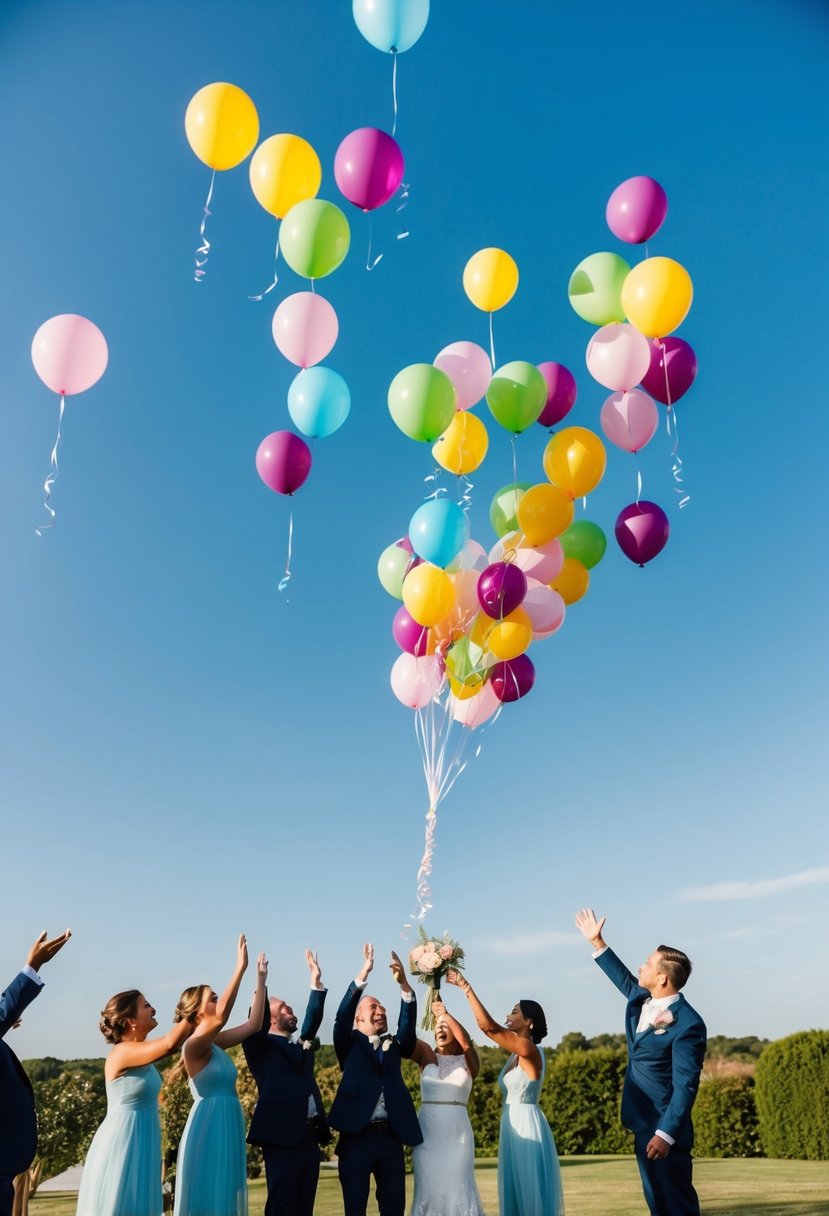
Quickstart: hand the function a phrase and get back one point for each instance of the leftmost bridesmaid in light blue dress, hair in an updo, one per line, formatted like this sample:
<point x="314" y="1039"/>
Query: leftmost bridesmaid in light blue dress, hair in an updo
<point x="123" y="1169"/>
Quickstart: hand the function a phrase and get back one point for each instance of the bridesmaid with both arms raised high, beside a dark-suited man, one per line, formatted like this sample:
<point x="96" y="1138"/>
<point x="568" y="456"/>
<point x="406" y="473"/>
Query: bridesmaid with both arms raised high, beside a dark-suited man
<point x="212" y="1167"/>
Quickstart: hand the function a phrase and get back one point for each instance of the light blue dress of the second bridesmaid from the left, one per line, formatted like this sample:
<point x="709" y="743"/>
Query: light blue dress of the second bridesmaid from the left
<point x="211" y="1178"/>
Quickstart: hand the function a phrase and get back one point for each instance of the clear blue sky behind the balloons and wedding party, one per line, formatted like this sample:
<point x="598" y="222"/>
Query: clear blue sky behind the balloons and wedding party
<point x="187" y="753"/>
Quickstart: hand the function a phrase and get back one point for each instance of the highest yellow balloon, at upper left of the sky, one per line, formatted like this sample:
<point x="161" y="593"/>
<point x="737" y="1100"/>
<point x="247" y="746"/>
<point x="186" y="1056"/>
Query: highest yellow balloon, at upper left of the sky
<point x="222" y="126"/>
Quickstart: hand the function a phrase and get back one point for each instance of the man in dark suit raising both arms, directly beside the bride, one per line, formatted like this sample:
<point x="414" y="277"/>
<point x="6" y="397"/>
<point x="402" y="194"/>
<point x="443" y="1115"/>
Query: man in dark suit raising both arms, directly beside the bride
<point x="374" y="1111"/>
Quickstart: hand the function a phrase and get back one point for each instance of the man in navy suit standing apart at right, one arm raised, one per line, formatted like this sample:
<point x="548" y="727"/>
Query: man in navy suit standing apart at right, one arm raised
<point x="666" y="1051"/>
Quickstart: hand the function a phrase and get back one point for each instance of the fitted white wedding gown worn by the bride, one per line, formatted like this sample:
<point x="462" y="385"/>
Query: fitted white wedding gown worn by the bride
<point x="445" y="1163"/>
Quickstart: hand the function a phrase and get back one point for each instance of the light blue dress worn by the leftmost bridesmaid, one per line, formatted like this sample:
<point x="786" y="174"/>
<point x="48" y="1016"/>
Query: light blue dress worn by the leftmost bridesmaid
<point x="123" y="1169"/>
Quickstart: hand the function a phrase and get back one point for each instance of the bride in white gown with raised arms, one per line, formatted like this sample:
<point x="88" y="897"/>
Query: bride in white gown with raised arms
<point x="445" y="1163"/>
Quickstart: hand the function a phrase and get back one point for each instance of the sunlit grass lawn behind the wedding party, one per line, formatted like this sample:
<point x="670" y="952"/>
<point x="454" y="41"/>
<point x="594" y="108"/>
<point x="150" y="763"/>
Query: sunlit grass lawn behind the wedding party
<point x="605" y="1186"/>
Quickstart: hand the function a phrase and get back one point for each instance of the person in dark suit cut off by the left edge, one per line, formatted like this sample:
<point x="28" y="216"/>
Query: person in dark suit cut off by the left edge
<point x="19" y="1127"/>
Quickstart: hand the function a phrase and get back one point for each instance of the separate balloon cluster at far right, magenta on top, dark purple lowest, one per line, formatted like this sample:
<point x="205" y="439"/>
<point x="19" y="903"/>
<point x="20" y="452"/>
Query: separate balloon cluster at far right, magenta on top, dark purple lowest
<point x="633" y="353"/>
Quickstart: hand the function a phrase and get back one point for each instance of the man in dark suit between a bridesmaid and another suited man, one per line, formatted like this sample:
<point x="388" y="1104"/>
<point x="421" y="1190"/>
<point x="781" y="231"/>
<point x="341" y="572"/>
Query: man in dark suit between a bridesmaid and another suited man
<point x="289" y="1122"/>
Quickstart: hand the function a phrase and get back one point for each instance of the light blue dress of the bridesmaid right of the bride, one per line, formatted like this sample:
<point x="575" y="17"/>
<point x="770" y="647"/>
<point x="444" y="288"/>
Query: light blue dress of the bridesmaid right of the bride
<point x="529" y="1175"/>
